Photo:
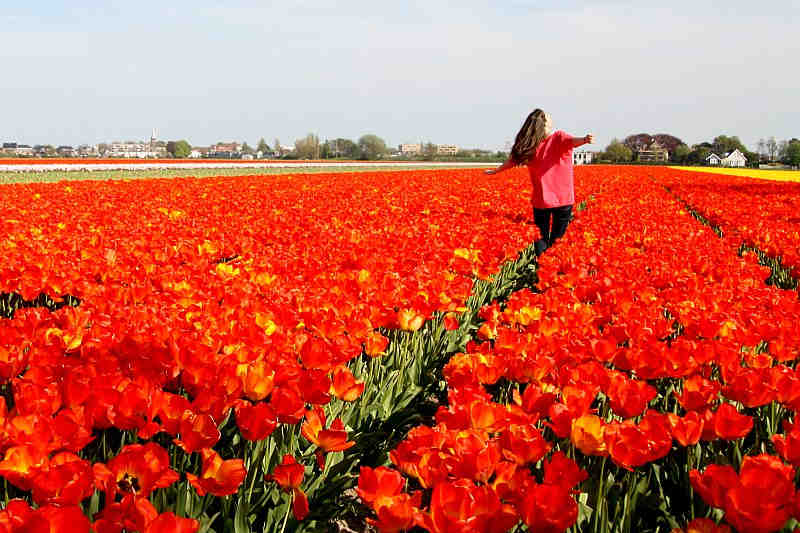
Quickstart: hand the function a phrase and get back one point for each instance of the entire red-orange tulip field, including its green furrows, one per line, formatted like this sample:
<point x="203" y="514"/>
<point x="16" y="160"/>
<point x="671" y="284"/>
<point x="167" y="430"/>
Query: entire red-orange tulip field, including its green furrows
<point x="383" y="351"/>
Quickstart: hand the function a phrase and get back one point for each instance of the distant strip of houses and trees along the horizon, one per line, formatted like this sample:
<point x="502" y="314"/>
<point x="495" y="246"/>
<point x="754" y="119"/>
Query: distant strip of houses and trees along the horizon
<point x="727" y="151"/>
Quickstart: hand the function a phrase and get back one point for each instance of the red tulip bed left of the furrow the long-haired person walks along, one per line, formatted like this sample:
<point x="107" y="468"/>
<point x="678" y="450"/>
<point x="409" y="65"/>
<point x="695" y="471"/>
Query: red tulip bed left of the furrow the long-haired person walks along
<point x="226" y="331"/>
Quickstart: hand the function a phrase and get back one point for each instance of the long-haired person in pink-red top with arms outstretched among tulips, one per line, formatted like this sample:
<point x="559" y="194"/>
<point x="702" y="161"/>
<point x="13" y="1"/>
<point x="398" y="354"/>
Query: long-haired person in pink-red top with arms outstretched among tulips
<point x="548" y="156"/>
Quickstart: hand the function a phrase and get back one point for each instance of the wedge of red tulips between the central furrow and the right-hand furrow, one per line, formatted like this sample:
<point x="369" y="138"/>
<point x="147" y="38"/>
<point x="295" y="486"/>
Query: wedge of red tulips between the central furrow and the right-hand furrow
<point x="648" y="384"/>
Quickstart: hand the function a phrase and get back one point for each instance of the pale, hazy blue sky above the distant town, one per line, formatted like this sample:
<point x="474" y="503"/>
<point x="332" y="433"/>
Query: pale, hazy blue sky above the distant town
<point x="93" y="71"/>
